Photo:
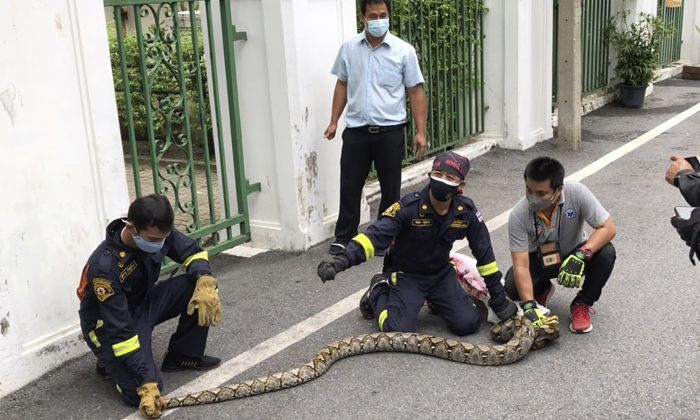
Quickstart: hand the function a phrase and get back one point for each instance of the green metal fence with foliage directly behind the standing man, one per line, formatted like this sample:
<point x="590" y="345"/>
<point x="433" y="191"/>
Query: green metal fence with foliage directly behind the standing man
<point x="448" y="38"/>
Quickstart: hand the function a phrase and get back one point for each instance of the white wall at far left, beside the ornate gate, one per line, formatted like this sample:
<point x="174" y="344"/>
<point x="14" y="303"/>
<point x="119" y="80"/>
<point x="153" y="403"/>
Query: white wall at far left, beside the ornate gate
<point x="63" y="175"/>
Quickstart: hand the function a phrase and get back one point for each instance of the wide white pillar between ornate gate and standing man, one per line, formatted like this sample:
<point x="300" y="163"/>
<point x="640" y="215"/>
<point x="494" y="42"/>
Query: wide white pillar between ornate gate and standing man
<point x="285" y="92"/>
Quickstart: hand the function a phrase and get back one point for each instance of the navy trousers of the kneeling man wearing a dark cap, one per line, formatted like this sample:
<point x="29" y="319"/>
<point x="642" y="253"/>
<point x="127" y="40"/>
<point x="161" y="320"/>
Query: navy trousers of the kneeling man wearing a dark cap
<point x="396" y="307"/>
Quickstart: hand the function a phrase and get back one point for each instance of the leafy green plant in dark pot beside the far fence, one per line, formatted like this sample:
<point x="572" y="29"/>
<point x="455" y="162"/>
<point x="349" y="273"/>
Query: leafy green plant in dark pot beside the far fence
<point x="637" y="49"/>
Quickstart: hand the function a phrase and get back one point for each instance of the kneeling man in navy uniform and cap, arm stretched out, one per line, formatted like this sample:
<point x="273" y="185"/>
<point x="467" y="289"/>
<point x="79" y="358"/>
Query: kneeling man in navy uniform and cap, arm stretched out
<point x="423" y="226"/>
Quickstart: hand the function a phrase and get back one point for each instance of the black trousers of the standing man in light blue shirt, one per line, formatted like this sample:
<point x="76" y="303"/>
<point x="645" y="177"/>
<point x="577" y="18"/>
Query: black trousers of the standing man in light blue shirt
<point x="360" y="149"/>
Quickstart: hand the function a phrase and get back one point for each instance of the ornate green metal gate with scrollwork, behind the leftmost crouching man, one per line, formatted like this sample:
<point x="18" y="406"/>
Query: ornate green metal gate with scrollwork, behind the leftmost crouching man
<point x="177" y="146"/>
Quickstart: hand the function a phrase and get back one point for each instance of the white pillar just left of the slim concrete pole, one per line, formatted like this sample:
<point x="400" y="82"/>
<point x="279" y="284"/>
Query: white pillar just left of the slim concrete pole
<point x="527" y="70"/>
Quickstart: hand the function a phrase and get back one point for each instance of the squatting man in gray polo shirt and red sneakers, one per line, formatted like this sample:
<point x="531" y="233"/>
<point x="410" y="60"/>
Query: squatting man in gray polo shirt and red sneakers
<point x="547" y="240"/>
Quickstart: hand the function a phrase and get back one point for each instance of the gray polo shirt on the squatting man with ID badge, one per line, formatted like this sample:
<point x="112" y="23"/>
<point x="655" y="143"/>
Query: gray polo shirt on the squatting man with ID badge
<point x="576" y="204"/>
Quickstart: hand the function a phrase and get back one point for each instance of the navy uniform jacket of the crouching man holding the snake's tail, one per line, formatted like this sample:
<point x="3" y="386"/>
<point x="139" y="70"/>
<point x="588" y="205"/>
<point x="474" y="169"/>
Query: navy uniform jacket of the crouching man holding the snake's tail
<point x="117" y="279"/>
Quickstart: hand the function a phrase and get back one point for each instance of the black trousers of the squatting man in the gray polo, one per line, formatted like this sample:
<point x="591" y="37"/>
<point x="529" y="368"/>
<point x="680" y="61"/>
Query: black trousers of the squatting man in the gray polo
<point x="597" y="272"/>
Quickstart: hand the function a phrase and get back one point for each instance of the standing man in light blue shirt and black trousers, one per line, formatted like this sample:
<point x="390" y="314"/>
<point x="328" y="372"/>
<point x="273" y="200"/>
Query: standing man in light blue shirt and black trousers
<point x="374" y="70"/>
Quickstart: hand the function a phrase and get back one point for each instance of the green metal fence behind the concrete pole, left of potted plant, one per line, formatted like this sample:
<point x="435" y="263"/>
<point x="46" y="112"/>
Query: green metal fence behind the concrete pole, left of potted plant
<point x="594" y="49"/>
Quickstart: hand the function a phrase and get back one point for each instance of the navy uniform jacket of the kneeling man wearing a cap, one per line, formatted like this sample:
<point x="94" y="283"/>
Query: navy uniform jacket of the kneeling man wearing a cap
<point x="423" y="239"/>
